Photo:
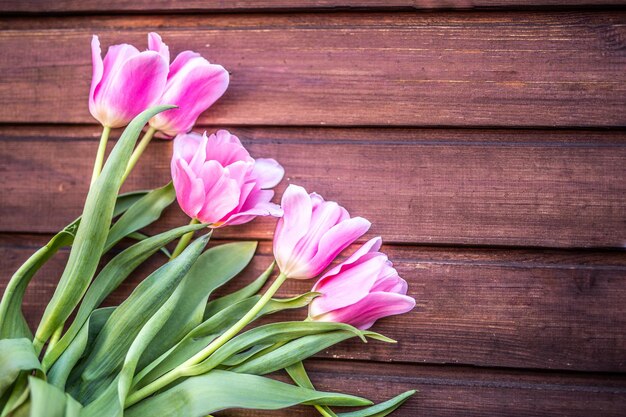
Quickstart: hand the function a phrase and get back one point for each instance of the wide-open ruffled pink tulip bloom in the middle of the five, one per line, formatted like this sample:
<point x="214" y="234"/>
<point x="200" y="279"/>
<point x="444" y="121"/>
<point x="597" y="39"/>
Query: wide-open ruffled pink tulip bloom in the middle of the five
<point x="218" y="182"/>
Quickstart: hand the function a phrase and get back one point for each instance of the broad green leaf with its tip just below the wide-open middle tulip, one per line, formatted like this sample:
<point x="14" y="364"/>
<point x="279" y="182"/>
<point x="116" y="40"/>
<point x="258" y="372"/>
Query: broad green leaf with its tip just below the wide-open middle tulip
<point x="212" y="269"/>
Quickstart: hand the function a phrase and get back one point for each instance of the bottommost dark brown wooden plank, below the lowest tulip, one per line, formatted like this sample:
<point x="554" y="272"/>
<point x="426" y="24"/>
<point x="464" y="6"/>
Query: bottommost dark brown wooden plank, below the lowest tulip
<point x="456" y="391"/>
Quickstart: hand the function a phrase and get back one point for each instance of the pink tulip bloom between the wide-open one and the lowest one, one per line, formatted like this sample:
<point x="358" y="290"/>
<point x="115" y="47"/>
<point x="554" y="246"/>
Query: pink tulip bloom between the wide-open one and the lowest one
<point x="312" y="233"/>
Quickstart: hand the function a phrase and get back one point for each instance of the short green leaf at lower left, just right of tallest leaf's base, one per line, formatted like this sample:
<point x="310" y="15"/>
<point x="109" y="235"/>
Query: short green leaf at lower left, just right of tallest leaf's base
<point x="70" y="356"/>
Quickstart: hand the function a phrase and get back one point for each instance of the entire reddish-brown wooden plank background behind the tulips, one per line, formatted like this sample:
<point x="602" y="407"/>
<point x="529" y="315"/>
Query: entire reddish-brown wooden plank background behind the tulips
<point x="485" y="140"/>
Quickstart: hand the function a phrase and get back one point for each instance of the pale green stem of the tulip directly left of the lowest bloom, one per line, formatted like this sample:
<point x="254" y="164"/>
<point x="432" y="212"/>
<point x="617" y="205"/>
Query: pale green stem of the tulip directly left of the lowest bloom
<point x="184" y="368"/>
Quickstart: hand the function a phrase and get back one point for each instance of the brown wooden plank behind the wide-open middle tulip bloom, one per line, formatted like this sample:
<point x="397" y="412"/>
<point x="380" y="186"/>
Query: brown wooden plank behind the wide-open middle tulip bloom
<point x="520" y="188"/>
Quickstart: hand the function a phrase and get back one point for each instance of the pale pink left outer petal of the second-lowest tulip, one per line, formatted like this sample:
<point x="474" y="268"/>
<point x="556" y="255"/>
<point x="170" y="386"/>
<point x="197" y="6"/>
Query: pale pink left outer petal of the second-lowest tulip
<point x="297" y="208"/>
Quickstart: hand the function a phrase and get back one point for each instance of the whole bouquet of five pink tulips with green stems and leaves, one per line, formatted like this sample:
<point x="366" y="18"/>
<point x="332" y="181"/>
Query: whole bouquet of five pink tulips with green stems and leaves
<point x="171" y="348"/>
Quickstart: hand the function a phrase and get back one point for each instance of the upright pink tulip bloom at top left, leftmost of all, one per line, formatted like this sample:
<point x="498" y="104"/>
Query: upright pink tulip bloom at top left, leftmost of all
<point x="127" y="82"/>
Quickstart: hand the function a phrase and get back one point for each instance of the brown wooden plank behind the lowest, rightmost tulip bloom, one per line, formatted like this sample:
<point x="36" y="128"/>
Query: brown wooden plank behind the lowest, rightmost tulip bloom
<point x="497" y="308"/>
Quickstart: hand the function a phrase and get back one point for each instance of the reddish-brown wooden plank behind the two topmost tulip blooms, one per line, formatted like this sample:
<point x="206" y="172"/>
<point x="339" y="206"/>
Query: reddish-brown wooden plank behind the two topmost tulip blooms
<point x="444" y="69"/>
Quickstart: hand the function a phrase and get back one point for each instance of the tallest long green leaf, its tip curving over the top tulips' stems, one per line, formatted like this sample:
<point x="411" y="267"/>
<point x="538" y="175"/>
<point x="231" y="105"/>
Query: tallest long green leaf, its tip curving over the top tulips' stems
<point x="92" y="233"/>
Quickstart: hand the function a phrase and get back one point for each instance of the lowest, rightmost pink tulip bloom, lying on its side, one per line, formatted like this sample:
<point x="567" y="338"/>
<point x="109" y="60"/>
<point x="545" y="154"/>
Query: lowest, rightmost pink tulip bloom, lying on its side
<point x="361" y="290"/>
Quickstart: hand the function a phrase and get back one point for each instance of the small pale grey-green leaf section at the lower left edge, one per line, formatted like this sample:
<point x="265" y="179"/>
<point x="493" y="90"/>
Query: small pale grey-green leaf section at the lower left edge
<point x="16" y="355"/>
